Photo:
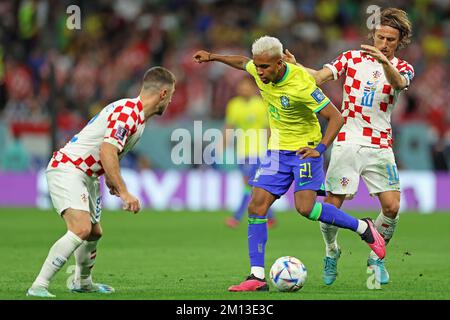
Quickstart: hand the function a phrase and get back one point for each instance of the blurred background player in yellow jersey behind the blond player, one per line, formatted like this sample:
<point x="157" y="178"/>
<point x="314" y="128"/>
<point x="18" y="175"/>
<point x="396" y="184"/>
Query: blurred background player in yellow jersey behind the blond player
<point x="246" y="119"/>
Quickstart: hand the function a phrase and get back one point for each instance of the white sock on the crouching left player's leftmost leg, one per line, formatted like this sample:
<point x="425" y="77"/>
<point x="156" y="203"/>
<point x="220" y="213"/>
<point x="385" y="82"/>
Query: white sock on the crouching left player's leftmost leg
<point x="58" y="255"/>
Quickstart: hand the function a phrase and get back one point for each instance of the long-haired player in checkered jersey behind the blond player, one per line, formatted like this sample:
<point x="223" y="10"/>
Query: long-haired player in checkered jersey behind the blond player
<point x="374" y="78"/>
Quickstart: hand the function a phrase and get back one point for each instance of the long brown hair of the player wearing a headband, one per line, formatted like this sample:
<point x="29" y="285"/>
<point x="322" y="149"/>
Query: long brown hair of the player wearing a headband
<point x="397" y="19"/>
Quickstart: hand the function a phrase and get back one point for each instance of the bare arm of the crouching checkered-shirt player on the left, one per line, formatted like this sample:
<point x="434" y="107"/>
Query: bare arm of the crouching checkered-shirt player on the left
<point x="110" y="161"/>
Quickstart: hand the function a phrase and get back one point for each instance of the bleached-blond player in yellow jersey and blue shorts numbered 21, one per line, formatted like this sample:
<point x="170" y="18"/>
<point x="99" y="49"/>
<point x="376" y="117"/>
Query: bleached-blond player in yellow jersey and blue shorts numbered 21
<point x="295" y="150"/>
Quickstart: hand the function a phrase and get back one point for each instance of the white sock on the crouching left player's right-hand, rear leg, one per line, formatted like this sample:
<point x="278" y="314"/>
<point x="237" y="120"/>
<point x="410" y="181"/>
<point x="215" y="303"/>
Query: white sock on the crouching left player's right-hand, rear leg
<point x="85" y="256"/>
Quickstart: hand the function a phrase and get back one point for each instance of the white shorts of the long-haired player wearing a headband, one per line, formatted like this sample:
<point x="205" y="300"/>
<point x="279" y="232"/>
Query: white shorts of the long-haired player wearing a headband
<point x="350" y="162"/>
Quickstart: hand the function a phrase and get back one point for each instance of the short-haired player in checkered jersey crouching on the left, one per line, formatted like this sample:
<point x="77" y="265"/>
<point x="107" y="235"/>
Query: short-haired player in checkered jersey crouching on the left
<point x="73" y="179"/>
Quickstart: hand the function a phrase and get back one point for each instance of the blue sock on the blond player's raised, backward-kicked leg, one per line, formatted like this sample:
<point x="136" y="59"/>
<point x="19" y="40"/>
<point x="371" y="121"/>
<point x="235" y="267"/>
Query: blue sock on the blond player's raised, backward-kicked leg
<point x="328" y="213"/>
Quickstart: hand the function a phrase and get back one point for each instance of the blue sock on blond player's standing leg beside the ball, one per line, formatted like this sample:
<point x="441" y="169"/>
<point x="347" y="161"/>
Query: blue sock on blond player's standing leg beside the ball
<point x="257" y="238"/>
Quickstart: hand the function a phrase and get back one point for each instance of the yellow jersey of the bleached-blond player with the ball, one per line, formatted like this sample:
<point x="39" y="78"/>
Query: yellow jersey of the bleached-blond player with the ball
<point x="292" y="104"/>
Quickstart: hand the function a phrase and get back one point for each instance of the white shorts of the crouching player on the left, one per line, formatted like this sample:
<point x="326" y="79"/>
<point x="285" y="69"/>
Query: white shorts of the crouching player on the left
<point x="69" y="187"/>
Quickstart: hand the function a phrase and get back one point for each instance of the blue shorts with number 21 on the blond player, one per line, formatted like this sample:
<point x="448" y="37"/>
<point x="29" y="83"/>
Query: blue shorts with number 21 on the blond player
<point x="280" y="168"/>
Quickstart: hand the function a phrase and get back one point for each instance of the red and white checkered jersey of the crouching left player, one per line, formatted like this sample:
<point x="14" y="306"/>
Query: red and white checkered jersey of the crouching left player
<point x="120" y="123"/>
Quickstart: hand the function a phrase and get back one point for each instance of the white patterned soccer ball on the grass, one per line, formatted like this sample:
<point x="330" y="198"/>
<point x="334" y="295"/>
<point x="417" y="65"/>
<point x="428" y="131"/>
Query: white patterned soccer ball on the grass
<point x="288" y="274"/>
